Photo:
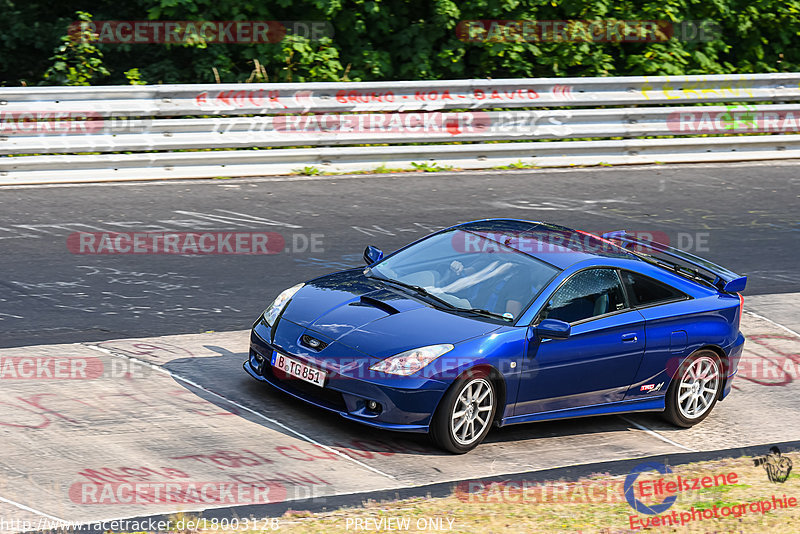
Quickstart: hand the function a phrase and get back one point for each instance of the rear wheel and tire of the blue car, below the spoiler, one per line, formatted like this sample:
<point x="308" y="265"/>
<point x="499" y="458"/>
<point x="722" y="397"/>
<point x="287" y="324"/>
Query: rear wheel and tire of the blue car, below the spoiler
<point x="695" y="389"/>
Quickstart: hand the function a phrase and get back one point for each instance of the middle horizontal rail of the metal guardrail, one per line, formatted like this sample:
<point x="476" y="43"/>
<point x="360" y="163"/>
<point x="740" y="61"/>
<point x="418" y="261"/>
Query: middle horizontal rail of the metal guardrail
<point x="343" y="129"/>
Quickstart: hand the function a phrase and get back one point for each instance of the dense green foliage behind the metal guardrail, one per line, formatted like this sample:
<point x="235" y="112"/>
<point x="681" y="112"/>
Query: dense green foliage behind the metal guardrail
<point x="406" y="40"/>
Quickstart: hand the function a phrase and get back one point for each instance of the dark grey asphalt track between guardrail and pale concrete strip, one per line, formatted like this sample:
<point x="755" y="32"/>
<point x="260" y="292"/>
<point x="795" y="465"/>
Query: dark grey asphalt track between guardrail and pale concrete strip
<point x="742" y="216"/>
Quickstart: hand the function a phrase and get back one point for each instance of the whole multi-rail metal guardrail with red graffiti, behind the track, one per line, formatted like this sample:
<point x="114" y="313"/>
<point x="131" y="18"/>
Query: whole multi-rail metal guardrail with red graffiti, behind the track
<point x="39" y="125"/>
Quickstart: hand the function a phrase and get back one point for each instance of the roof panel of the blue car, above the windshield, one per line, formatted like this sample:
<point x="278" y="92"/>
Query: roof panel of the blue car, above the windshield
<point x="557" y="245"/>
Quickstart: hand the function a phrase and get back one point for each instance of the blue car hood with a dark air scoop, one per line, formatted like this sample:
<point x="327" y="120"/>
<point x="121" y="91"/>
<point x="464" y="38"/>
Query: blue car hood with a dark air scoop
<point x="374" y="318"/>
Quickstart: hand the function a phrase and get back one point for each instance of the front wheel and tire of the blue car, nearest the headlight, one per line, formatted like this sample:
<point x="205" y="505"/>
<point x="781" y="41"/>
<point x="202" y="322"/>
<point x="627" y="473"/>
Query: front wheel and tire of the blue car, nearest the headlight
<point x="465" y="414"/>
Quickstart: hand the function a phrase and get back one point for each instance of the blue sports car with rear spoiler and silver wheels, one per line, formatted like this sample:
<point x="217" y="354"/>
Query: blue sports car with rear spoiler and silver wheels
<point x="506" y="321"/>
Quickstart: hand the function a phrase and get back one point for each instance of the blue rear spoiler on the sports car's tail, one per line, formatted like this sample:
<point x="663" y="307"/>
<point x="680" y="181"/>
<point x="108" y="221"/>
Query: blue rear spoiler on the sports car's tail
<point x="721" y="278"/>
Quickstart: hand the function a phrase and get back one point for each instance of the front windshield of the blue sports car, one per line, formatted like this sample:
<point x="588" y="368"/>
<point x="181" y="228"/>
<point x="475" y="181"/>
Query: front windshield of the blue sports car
<point x="469" y="272"/>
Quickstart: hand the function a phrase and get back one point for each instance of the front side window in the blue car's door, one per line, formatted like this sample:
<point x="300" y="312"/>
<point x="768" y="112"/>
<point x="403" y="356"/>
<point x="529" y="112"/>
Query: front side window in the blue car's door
<point x="587" y="294"/>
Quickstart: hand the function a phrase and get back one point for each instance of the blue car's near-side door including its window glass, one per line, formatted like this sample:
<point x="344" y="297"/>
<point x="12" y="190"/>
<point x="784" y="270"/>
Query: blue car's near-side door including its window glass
<point x="598" y="361"/>
